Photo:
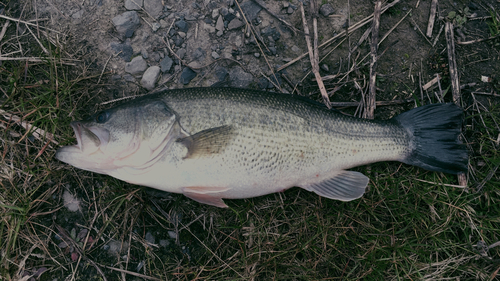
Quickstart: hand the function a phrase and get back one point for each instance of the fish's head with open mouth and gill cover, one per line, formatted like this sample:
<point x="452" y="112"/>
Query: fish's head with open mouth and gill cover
<point x="131" y="135"/>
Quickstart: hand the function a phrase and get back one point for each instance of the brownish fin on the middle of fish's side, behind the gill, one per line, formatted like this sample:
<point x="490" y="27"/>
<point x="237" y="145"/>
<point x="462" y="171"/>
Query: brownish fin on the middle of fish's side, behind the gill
<point x="208" y="142"/>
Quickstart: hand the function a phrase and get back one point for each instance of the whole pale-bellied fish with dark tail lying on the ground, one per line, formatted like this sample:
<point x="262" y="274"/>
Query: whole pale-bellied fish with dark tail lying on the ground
<point x="212" y="144"/>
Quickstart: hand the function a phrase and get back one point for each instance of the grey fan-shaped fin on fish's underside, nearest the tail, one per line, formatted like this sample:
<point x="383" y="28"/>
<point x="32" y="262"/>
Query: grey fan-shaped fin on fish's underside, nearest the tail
<point x="344" y="186"/>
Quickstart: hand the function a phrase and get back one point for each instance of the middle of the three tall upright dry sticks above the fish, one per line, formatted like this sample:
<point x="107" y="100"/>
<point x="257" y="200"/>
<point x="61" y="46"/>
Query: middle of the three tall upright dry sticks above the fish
<point x="370" y="99"/>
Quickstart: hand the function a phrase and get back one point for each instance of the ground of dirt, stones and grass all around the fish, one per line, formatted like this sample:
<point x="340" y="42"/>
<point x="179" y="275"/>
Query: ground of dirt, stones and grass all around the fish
<point x="63" y="60"/>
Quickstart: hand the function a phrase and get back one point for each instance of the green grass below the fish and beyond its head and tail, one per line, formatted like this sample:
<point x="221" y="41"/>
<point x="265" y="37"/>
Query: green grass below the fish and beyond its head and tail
<point x="411" y="224"/>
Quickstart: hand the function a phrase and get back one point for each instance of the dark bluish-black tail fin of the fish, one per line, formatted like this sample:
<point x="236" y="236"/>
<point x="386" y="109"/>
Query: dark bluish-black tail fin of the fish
<point x="435" y="129"/>
